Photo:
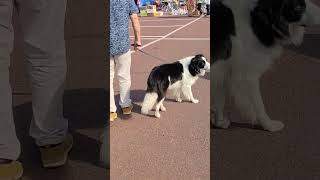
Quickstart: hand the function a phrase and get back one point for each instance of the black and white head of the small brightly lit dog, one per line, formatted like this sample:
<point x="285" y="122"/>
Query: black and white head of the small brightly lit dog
<point x="199" y="65"/>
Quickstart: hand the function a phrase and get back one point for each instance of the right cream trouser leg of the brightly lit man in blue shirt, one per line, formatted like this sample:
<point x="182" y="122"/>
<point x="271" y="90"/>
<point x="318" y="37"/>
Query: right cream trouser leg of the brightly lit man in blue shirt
<point x="123" y="65"/>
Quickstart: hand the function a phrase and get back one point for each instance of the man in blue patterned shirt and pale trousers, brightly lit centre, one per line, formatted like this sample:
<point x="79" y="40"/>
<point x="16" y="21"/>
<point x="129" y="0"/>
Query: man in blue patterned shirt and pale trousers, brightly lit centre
<point x="121" y="12"/>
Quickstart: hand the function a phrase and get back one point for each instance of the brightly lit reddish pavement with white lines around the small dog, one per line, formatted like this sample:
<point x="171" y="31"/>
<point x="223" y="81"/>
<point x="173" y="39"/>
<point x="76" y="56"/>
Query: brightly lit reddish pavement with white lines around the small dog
<point x="176" y="146"/>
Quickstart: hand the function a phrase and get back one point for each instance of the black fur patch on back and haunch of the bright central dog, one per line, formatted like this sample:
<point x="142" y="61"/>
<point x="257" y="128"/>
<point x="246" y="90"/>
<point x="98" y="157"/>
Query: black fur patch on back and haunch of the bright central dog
<point x="158" y="79"/>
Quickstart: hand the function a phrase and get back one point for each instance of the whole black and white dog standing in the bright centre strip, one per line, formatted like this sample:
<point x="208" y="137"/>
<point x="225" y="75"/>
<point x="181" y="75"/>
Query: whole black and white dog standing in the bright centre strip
<point x="178" y="77"/>
